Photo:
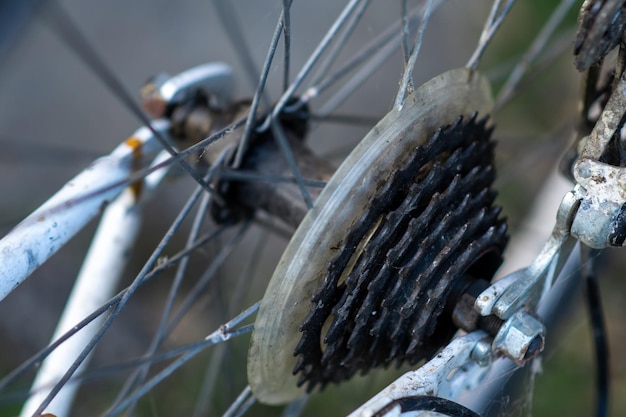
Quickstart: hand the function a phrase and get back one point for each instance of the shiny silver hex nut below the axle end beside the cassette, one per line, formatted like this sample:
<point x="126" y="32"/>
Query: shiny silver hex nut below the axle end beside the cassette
<point x="521" y="338"/>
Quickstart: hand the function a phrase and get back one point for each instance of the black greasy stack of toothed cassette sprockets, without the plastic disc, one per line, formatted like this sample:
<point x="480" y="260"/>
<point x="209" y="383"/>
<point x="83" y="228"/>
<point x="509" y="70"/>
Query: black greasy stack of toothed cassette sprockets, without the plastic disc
<point x="432" y="223"/>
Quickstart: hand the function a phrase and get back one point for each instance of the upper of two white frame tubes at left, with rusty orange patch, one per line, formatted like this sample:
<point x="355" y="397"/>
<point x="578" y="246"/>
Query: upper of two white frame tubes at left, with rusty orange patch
<point x="47" y="229"/>
